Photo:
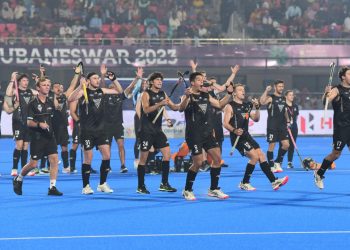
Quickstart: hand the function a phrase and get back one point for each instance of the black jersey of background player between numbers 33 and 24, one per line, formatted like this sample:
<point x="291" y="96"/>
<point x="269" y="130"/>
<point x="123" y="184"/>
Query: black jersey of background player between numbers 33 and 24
<point x="114" y="108"/>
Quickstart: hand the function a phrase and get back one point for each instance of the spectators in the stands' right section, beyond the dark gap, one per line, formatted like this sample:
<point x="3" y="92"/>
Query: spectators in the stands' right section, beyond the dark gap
<point x="298" y="18"/>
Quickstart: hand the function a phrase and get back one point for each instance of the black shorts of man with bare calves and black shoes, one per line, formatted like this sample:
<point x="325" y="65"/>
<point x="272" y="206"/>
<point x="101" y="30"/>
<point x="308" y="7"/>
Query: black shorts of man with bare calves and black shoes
<point x="42" y="146"/>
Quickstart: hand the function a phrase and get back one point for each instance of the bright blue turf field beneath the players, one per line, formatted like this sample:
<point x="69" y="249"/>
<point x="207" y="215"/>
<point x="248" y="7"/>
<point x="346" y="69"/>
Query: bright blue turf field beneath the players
<point x="298" y="216"/>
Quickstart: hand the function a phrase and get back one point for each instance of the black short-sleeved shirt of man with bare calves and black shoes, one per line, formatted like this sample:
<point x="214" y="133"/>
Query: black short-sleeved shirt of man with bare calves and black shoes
<point x="39" y="111"/>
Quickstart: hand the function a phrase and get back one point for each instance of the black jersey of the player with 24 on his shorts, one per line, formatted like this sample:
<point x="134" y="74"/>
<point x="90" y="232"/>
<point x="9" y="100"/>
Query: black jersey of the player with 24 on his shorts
<point x="146" y="119"/>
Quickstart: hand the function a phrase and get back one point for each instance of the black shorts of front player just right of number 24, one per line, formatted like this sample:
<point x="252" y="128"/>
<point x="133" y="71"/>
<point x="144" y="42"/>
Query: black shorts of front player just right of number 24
<point x="196" y="143"/>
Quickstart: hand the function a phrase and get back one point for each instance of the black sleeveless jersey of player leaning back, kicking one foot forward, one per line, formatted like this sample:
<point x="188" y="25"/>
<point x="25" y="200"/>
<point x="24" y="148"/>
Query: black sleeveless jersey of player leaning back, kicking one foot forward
<point x="241" y="114"/>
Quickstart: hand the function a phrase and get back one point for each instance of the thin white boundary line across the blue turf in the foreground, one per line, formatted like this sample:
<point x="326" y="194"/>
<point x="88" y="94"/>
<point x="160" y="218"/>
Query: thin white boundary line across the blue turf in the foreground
<point x="169" y="235"/>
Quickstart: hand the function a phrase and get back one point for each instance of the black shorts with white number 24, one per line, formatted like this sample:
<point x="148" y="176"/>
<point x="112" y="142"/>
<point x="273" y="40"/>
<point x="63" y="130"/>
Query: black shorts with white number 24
<point x="157" y="140"/>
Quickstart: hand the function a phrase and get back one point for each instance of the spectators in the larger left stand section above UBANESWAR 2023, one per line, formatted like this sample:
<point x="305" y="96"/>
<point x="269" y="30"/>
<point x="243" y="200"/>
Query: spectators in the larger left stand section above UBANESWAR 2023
<point x="96" y="19"/>
